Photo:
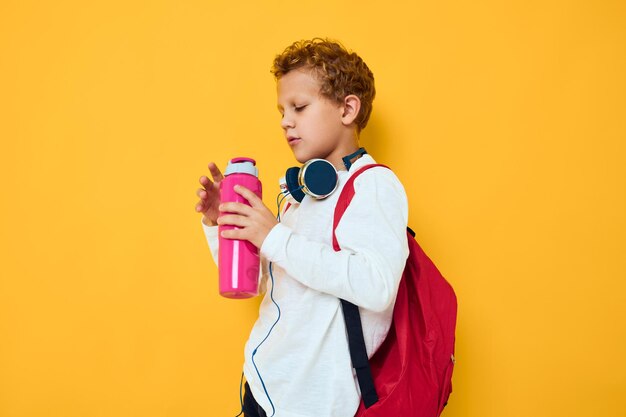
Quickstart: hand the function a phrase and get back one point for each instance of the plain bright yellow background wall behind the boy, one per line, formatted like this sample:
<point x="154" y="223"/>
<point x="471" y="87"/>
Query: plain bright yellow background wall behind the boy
<point x="506" y="122"/>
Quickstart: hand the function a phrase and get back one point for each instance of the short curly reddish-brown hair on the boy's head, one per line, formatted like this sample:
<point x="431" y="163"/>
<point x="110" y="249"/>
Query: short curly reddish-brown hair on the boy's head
<point x="339" y="71"/>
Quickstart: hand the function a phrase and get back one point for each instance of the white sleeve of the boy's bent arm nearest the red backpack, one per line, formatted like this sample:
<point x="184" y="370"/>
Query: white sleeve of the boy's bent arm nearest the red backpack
<point x="373" y="240"/>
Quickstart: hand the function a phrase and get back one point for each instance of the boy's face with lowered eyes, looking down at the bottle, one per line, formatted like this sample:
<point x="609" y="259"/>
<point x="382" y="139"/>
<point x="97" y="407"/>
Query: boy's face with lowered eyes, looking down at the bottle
<point x="312" y="123"/>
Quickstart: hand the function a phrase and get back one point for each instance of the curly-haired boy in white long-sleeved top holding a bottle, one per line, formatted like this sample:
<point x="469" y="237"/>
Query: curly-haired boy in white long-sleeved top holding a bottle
<point x="303" y="368"/>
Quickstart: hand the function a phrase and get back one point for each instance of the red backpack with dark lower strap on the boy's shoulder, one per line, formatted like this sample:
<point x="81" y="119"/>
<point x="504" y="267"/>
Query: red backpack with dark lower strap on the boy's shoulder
<point x="411" y="373"/>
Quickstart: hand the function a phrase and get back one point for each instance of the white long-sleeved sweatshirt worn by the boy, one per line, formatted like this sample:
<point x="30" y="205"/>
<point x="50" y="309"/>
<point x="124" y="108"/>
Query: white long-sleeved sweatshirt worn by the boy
<point x="305" y="362"/>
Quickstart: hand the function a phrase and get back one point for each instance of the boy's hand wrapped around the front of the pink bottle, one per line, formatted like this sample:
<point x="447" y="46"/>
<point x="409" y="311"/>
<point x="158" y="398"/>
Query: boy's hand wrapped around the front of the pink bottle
<point x="254" y="221"/>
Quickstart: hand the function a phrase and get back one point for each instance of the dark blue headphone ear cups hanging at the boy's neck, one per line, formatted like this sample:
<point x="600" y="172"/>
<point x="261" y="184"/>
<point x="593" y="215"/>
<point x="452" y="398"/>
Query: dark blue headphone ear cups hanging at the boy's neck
<point x="317" y="178"/>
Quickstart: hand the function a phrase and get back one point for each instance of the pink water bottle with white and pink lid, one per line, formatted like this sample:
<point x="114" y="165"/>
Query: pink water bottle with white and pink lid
<point x="238" y="259"/>
